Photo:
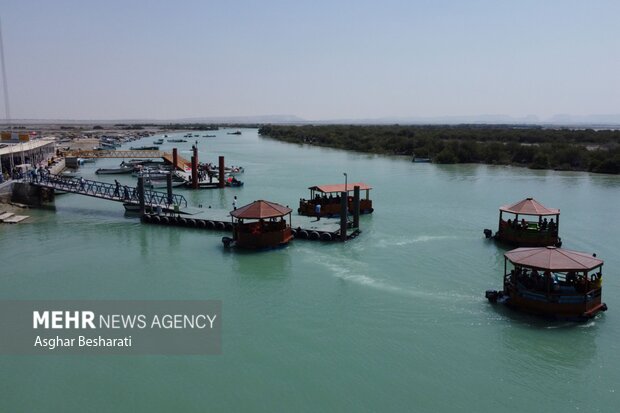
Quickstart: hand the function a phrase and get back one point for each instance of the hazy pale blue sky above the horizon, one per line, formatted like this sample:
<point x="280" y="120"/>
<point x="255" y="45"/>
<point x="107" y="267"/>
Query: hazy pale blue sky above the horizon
<point x="315" y="59"/>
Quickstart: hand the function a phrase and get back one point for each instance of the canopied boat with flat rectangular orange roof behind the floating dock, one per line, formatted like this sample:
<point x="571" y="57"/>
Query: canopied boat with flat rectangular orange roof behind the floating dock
<point x="330" y="205"/>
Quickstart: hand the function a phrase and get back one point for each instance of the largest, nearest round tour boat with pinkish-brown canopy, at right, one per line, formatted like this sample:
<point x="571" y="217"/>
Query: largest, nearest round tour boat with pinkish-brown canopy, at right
<point x="551" y="282"/>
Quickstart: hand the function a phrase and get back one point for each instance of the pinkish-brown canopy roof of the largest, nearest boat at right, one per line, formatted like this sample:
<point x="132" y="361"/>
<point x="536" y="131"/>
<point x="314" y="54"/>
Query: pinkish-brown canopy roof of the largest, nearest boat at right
<point x="553" y="259"/>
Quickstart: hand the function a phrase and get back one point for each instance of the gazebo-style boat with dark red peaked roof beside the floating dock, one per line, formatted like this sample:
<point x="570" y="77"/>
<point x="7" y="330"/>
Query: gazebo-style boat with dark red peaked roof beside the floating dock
<point x="260" y="225"/>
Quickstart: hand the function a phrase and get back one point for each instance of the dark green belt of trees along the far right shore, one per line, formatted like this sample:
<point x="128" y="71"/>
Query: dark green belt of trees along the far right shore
<point x="531" y="146"/>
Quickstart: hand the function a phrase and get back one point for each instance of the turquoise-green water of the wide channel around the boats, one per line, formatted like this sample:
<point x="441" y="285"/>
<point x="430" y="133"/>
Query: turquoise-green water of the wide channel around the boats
<point x="394" y="320"/>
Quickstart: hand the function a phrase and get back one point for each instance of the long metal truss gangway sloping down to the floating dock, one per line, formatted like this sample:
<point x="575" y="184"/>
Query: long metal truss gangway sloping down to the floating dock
<point x="106" y="190"/>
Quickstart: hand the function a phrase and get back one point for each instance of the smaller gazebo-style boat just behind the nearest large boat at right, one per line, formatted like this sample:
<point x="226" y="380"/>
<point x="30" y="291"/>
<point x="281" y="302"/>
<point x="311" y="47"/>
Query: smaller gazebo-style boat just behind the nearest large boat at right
<point x="527" y="232"/>
